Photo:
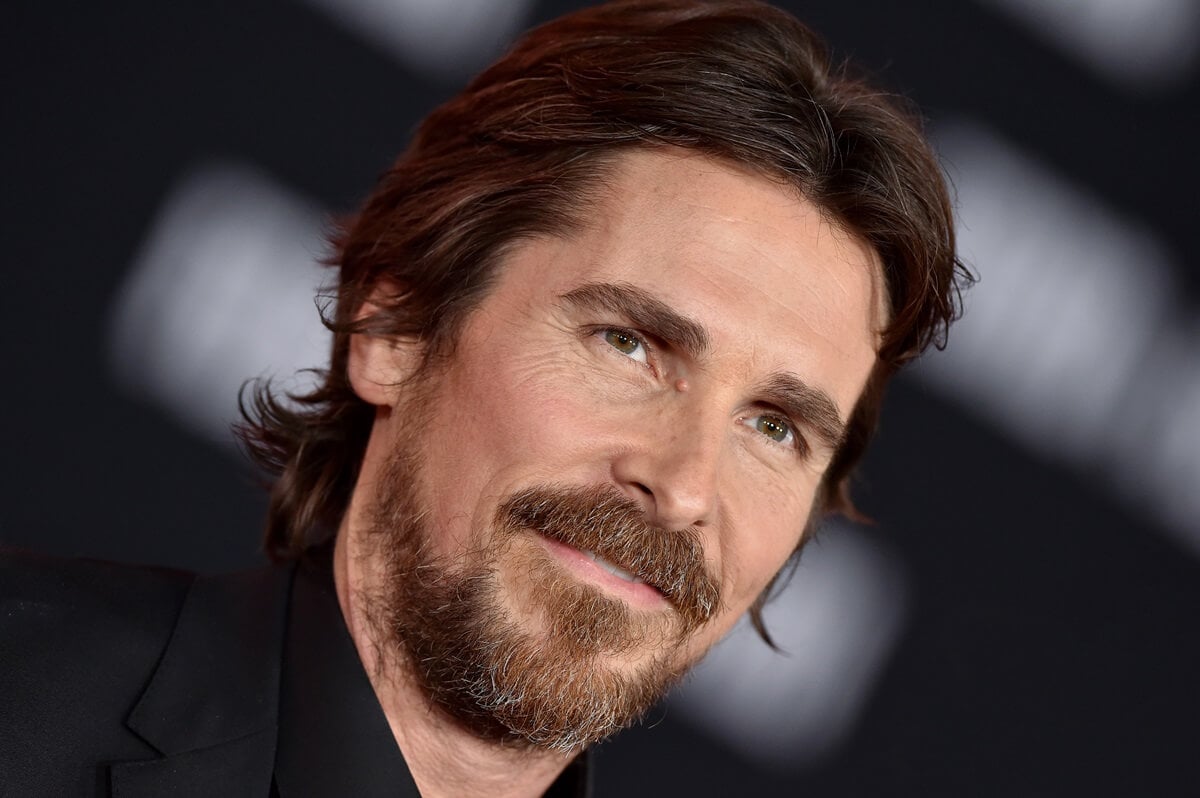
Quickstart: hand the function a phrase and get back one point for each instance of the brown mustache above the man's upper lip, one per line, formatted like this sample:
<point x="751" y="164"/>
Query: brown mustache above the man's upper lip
<point x="614" y="527"/>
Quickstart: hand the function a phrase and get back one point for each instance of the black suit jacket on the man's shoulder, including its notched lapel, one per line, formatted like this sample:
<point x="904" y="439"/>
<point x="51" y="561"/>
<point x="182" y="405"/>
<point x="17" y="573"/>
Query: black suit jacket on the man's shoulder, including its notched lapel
<point x="169" y="681"/>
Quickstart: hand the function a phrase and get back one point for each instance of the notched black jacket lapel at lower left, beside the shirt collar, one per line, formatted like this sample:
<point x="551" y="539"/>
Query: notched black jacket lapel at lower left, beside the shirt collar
<point x="212" y="706"/>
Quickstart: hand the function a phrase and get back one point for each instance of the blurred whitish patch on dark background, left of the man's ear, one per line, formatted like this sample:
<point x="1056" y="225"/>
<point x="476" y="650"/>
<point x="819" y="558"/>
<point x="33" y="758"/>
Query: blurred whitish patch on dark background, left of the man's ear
<point x="223" y="291"/>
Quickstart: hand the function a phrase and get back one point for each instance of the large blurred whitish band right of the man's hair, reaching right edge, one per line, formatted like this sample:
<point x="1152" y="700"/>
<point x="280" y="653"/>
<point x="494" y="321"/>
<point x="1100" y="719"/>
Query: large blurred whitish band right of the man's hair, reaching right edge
<point x="1076" y="341"/>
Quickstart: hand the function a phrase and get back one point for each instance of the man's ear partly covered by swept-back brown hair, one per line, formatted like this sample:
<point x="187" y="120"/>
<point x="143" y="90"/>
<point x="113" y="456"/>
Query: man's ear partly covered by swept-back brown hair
<point x="379" y="364"/>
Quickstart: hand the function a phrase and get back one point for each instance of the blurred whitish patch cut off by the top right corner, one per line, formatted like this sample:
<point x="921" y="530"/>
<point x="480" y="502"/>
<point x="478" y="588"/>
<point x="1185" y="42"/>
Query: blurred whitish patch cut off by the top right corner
<point x="1136" y="44"/>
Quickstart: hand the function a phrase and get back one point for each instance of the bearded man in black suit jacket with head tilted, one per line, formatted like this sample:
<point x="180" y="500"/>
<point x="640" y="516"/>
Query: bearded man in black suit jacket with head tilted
<point x="609" y="338"/>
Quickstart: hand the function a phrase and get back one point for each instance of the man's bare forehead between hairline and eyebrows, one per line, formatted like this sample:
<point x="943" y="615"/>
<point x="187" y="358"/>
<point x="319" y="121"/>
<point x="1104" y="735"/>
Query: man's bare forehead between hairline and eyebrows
<point x="777" y="285"/>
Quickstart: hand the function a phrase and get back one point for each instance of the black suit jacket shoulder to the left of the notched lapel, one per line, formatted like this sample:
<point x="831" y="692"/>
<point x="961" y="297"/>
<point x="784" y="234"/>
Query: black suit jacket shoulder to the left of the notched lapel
<point x="80" y="640"/>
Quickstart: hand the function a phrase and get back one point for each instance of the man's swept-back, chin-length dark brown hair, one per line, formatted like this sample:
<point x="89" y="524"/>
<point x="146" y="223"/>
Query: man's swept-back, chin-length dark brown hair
<point x="519" y="152"/>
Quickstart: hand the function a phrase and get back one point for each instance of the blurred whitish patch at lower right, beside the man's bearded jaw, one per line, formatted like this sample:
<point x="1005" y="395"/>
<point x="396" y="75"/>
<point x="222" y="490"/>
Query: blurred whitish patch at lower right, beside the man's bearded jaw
<point x="837" y="622"/>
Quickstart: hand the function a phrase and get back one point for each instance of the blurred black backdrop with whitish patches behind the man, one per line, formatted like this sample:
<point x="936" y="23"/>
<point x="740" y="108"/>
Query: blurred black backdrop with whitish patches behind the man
<point x="1022" y="620"/>
